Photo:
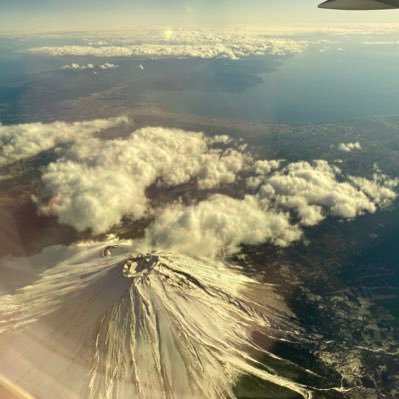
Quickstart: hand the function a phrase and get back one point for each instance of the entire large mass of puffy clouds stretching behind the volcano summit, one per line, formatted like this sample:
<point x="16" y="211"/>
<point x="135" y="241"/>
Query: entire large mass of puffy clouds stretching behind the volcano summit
<point x="98" y="182"/>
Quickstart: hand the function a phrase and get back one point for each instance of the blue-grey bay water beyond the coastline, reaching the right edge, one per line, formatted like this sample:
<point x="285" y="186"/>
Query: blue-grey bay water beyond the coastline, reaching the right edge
<point x="312" y="87"/>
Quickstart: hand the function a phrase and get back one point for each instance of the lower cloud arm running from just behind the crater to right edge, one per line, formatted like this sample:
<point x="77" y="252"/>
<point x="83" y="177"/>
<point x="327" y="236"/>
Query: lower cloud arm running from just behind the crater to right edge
<point x="285" y="201"/>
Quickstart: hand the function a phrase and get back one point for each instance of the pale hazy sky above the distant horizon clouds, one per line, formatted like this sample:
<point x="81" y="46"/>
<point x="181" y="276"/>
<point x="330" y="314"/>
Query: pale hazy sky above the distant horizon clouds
<point x="44" y="15"/>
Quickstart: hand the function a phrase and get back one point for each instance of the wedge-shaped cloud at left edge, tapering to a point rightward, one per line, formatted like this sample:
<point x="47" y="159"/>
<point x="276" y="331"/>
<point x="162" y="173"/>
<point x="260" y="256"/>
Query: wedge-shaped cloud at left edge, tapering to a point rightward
<point x="26" y="140"/>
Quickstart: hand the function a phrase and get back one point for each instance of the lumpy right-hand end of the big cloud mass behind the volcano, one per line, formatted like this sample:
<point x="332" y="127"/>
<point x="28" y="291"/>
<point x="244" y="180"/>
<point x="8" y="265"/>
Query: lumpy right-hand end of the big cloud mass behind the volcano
<point x="316" y="190"/>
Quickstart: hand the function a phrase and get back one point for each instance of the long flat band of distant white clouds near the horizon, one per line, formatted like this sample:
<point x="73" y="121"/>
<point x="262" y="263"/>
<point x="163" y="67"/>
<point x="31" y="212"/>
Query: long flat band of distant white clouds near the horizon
<point x="184" y="43"/>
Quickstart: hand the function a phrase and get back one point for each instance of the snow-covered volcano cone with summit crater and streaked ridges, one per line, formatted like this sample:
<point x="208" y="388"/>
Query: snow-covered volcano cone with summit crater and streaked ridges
<point x="165" y="326"/>
